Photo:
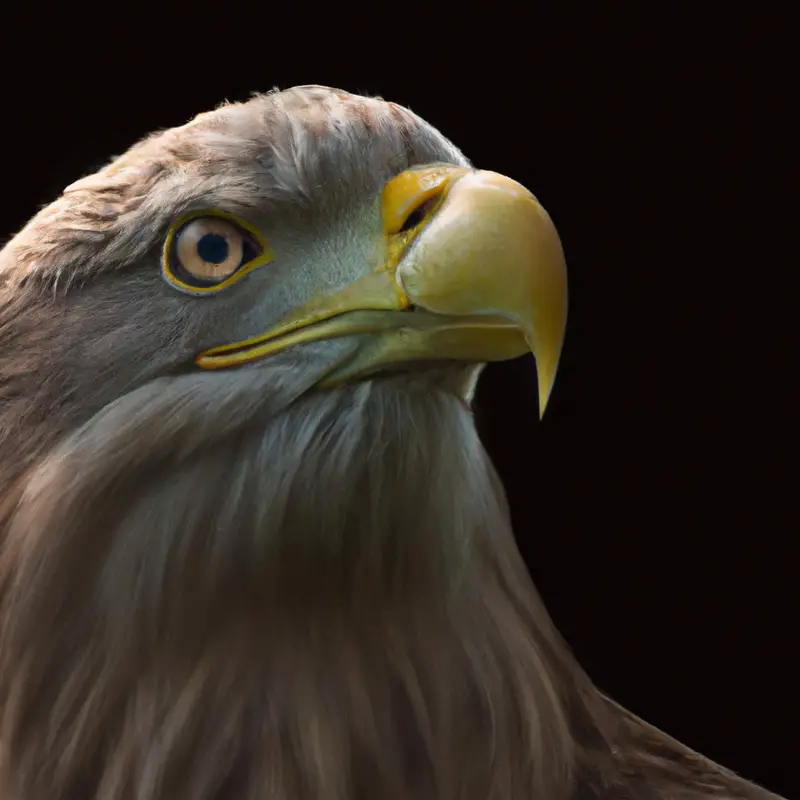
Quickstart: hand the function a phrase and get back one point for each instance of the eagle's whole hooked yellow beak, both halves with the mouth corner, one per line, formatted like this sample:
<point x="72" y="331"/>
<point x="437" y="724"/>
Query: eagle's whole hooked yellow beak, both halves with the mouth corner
<point x="484" y="261"/>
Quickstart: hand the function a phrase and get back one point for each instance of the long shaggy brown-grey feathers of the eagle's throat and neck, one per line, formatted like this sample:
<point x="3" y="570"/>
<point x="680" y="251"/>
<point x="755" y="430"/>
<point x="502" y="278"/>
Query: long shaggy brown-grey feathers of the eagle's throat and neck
<point x="325" y="603"/>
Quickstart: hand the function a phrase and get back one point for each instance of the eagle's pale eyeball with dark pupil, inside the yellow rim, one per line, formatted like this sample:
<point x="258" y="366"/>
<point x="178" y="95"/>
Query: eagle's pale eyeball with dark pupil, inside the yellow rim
<point x="207" y="251"/>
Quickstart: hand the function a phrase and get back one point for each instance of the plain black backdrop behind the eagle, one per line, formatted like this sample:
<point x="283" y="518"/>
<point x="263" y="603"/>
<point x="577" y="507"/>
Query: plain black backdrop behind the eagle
<point x="652" y="503"/>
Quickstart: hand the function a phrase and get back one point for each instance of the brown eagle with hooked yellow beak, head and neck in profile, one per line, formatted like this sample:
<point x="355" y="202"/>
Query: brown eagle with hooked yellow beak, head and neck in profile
<point x="251" y="547"/>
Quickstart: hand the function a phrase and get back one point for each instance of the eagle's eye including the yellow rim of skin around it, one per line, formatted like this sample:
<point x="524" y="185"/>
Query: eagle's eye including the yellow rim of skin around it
<point x="209" y="251"/>
